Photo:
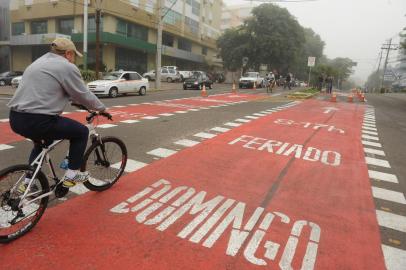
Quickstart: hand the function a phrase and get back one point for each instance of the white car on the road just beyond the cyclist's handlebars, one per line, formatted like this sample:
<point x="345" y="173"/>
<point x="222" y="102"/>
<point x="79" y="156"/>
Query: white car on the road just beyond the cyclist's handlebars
<point x="119" y="82"/>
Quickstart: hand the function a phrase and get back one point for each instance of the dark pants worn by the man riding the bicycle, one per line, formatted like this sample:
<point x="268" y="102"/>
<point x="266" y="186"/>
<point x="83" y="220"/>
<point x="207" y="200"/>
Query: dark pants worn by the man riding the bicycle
<point x="48" y="128"/>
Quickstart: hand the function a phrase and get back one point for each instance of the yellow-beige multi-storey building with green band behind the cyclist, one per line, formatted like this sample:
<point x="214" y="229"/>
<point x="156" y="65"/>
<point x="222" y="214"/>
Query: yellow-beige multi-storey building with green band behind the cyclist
<point x="128" y="32"/>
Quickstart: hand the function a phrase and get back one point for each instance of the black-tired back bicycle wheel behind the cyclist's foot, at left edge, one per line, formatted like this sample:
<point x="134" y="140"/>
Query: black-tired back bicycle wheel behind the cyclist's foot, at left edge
<point x="6" y="201"/>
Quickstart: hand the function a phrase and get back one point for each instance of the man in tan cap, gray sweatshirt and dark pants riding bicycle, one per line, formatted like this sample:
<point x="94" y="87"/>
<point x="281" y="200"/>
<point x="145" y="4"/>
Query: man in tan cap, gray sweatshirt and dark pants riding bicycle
<point x="48" y="84"/>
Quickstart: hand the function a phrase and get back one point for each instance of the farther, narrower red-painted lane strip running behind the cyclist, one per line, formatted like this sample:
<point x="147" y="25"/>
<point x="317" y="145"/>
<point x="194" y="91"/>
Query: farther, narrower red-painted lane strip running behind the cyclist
<point x="136" y="112"/>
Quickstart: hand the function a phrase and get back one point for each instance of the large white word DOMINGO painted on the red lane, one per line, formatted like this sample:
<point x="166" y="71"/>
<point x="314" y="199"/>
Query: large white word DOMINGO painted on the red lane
<point x="162" y="205"/>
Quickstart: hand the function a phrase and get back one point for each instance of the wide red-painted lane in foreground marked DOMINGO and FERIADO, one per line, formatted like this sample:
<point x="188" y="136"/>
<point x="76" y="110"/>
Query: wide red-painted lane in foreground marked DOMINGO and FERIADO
<point x="287" y="191"/>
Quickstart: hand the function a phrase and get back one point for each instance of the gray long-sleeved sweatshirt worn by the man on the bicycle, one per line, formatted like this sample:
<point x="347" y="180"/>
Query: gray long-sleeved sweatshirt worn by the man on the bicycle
<point x="48" y="85"/>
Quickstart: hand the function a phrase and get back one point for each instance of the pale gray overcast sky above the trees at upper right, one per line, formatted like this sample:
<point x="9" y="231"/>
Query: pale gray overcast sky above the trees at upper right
<point x="351" y="28"/>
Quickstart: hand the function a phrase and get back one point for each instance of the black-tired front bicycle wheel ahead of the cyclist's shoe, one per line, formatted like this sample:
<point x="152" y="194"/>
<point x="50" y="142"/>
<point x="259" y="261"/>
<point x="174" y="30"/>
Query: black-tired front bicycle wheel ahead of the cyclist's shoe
<point x="95" y="182"/>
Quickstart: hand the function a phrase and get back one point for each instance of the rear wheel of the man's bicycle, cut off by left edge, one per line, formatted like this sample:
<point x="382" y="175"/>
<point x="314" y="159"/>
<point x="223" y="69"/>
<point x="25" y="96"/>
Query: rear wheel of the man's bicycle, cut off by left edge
<point x="16" y="221"/>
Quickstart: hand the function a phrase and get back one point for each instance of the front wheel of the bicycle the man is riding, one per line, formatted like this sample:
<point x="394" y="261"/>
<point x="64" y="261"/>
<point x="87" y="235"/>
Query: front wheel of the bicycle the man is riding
<point x="105" y="161"/>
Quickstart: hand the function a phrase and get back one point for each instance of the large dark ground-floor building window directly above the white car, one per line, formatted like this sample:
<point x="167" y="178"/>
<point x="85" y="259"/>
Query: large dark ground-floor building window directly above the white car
<point x="127" y="59"/>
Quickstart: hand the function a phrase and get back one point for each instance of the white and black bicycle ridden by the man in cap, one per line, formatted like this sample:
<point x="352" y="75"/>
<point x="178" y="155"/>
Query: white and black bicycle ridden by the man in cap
<point x="22" y="208"/>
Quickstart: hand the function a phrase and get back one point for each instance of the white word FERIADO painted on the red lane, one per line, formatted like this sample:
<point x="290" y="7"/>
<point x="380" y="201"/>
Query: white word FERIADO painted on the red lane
<point x="331" y="158"/>
